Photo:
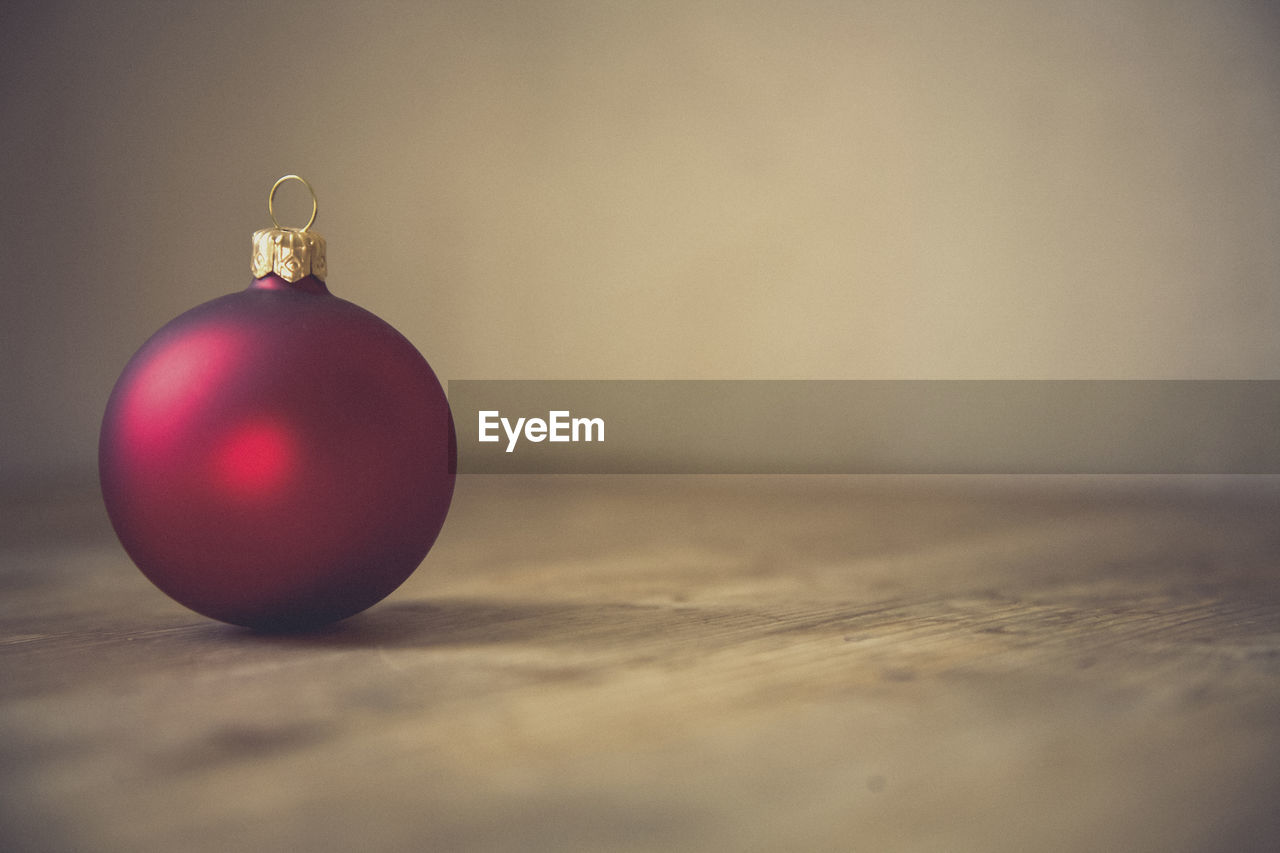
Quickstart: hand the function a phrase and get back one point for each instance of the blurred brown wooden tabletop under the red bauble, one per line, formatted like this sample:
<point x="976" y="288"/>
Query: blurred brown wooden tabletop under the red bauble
<point x="678" y="664"/>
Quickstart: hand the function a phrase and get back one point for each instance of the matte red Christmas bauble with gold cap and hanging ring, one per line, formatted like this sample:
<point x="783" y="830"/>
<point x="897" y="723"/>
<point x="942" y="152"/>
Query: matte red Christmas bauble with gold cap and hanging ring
<point x="278" y="458"/>
